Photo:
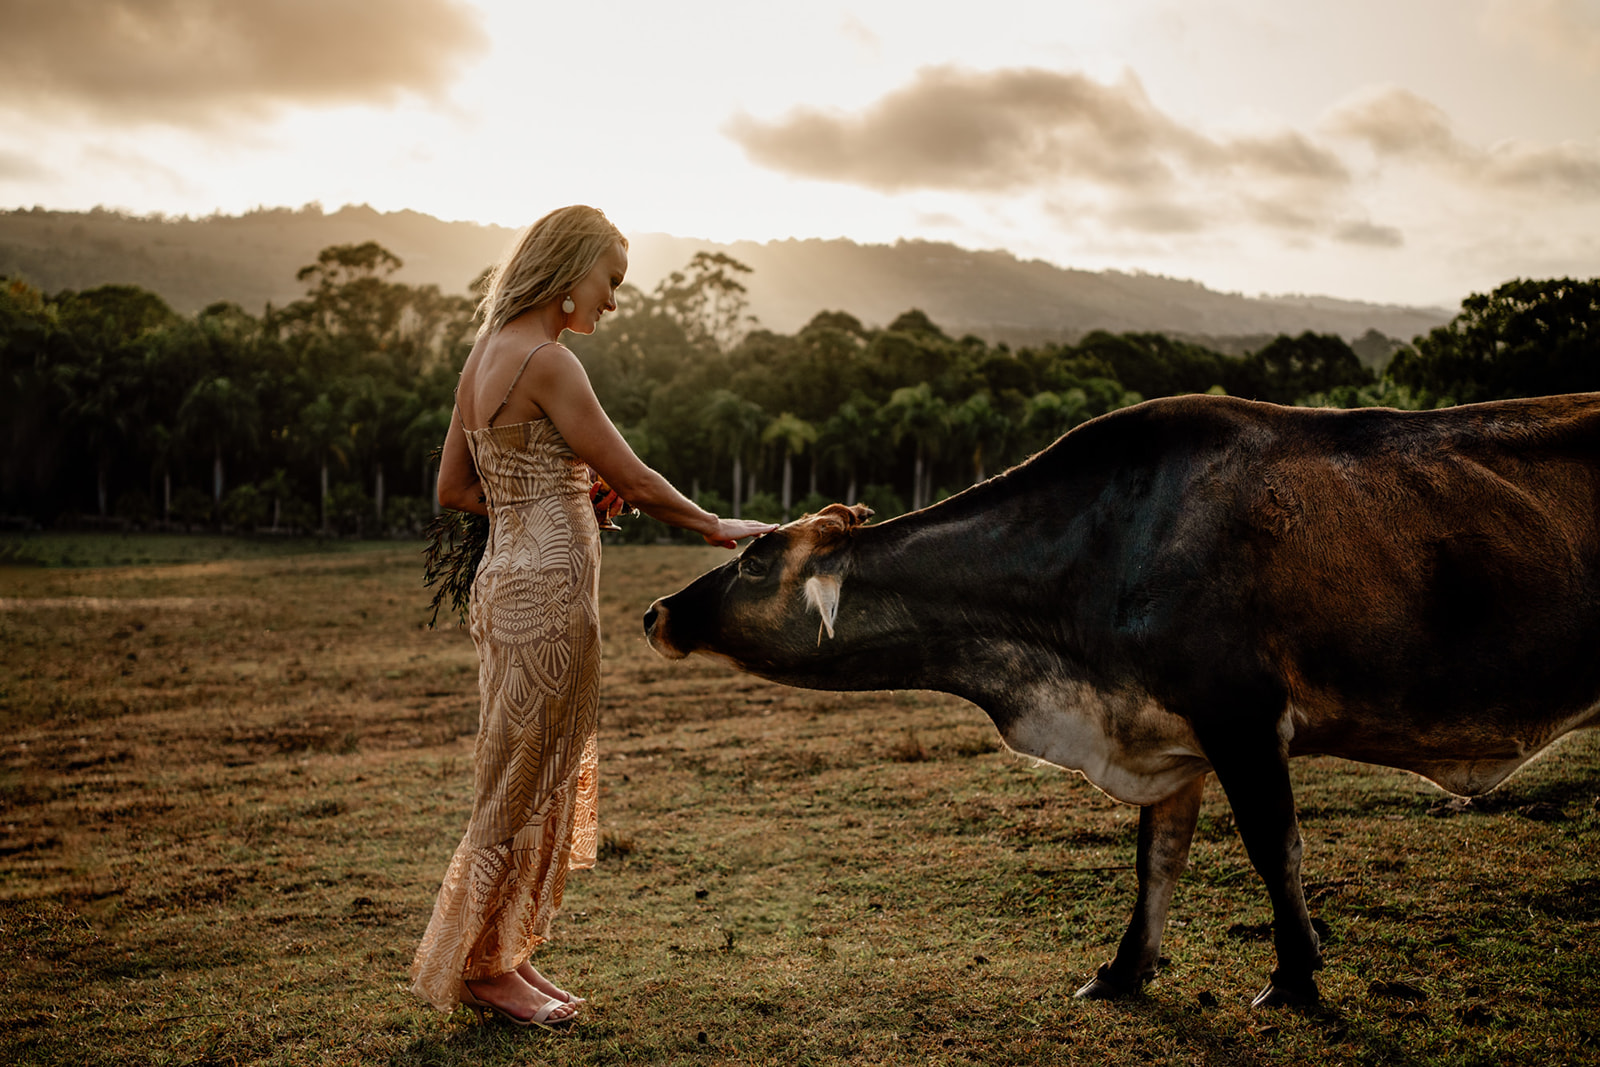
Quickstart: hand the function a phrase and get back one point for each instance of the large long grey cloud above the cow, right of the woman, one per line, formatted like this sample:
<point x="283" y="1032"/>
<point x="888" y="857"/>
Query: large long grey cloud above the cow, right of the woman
<point x="1054" y="134"/>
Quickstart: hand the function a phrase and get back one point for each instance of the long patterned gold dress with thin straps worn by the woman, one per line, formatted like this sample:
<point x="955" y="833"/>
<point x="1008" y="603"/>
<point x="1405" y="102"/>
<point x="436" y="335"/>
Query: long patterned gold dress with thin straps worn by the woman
<point x="537" y="626"/>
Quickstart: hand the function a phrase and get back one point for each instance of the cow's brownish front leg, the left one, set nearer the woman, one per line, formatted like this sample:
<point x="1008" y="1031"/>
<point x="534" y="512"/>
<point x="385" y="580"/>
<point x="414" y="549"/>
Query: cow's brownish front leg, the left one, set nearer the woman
<point x="1166" y="831"/>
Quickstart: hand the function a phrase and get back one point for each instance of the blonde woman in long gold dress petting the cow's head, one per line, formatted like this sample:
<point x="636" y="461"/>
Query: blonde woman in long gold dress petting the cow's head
<point x="524" y="444"/>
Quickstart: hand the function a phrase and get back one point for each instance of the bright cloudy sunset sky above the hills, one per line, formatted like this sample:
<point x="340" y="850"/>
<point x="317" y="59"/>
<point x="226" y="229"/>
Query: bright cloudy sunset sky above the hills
<point x="1390" y="151"/>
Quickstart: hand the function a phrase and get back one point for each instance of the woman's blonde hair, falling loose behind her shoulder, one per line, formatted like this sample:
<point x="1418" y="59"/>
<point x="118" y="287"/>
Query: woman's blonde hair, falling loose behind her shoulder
<point x="548" y="260"/>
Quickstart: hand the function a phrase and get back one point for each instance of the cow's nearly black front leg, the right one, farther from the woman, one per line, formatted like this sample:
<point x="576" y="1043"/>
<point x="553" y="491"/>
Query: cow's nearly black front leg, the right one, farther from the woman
<point x="1254" y="770"/>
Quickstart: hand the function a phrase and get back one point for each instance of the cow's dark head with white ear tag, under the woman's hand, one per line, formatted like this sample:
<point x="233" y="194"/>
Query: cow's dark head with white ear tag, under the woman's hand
<point x="774" y="609"/>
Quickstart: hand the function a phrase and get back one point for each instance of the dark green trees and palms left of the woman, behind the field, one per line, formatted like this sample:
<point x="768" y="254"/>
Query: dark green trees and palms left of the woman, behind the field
<point x="111" y="393"/>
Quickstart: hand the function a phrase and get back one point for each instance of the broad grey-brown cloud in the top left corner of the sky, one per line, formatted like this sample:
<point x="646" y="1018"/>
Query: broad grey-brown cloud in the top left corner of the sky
<point x="206" y="62"/>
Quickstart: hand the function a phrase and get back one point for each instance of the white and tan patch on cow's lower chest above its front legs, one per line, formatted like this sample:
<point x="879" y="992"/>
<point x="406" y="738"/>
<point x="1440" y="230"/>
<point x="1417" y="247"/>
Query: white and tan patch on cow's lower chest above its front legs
<point x="1122" y="741"/>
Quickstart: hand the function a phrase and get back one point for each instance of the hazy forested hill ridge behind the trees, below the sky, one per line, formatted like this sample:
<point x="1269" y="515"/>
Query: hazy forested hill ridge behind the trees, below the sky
<point x="252" y="262"/>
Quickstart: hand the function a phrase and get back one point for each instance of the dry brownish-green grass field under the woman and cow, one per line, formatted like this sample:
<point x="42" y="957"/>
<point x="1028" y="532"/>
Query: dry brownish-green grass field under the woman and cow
<point x="230" y="786"/>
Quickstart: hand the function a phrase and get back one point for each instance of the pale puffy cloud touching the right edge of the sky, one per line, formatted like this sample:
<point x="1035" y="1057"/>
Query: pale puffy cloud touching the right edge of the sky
<point x="1401" y="126"/>
